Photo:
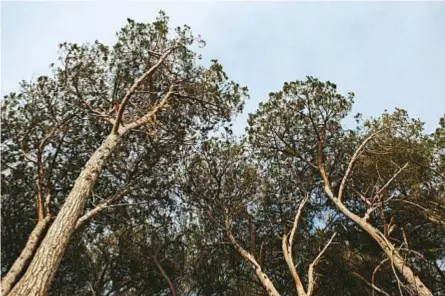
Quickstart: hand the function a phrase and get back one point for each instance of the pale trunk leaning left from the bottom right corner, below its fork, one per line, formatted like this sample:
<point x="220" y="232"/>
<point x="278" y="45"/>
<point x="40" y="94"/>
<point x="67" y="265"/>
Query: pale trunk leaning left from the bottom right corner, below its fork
<point x="391" y="252"/>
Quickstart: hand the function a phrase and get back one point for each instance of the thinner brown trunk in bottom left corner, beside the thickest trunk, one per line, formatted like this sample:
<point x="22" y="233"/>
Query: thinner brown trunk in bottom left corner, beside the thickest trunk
<point x="17" y="267"/>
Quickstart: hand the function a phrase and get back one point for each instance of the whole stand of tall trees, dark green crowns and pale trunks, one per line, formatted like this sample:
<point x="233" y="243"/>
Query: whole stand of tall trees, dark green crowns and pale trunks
<point x="121" y="176"/>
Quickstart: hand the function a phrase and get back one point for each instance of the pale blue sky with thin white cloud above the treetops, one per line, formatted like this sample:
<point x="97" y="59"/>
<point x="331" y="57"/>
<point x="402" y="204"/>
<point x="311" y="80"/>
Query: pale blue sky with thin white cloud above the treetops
<point x="391" y="54"/>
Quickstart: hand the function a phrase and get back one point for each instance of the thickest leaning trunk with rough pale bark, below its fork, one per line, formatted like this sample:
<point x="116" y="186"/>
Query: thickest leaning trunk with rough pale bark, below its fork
<point x="43" y="267"/>
